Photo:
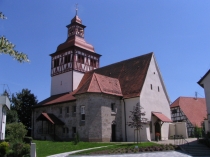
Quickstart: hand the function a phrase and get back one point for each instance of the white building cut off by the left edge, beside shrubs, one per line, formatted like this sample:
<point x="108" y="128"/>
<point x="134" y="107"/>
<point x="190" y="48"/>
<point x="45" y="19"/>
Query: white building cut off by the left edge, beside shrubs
<point x="4" y="106"/>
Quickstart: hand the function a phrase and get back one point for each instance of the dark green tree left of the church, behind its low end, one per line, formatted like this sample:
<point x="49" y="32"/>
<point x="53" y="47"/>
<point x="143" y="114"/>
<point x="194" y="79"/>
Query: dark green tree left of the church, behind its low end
<point x="22" y="103"/>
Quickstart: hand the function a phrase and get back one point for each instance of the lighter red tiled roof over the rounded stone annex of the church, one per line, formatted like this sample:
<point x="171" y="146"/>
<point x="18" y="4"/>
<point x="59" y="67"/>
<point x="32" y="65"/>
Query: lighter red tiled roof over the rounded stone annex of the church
<point x="101" y="84"/>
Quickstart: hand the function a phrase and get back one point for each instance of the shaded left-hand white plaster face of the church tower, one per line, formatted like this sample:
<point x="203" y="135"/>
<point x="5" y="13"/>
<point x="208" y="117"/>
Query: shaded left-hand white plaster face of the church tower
<point x="61" y="83"/>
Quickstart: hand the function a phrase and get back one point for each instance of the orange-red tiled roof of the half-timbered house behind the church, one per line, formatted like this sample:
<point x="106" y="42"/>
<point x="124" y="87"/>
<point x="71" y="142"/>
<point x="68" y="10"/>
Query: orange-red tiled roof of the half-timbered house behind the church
<point x="194" y="109"/>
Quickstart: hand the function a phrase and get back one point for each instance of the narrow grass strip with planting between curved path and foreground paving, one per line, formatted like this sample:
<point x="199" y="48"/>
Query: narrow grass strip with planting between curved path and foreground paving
<point x="117" y="147"/>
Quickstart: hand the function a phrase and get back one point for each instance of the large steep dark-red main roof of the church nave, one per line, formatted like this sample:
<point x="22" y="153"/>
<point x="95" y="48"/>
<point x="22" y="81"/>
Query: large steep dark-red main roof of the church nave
<point x="131" y="74"/>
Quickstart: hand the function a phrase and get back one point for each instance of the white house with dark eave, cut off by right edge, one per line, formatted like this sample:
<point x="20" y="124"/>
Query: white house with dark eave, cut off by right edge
<point x="205" y="83"/>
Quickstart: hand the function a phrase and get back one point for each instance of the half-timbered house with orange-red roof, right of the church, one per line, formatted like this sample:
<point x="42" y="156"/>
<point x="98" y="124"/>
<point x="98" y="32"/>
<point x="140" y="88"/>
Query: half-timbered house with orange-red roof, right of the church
<point x="190" y="110"/>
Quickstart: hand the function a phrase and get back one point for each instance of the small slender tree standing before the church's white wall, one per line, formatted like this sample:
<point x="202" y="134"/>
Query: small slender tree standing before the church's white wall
<point x="138" y="121"/>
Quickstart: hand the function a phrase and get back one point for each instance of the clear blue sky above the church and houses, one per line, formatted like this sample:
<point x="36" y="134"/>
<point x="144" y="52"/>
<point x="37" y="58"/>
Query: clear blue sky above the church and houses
<point x="178" y="32"/>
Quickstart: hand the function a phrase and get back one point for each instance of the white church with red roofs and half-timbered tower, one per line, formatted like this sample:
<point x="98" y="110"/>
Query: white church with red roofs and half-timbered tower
<point x="94" y="101"/>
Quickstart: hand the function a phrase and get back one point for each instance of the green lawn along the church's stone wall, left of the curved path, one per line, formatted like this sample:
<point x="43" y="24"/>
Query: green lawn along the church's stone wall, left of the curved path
<point x="45" y="148"/>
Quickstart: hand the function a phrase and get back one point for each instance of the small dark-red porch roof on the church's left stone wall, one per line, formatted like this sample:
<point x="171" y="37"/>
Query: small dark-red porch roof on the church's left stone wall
<point x="51" y="118"/>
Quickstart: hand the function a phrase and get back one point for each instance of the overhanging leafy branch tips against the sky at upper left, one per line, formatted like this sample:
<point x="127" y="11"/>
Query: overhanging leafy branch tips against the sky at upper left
<point x="6" y="47"/>
